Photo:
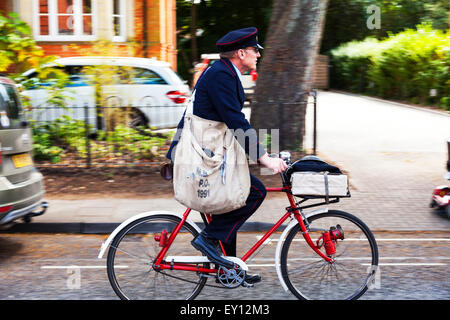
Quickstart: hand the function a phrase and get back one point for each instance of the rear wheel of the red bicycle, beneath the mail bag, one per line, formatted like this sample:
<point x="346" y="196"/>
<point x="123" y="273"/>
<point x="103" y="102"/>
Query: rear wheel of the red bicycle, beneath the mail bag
<point x="133" y="251"/>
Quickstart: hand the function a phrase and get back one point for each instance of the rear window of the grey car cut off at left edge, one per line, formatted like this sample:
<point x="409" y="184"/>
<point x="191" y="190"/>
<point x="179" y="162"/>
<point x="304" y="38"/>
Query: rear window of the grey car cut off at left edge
<point x="11" y="113"/>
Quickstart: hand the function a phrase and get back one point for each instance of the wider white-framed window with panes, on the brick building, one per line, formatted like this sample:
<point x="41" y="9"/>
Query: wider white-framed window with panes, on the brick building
<point x="65" y="20"/>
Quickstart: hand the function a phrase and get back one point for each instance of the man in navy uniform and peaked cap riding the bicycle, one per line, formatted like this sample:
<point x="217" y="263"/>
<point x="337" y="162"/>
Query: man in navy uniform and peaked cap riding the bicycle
<point x="220" y="97"/>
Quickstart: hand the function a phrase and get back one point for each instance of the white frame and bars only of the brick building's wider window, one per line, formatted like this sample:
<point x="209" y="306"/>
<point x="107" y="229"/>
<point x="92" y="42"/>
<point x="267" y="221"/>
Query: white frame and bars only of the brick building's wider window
<point x="53" y="22"/>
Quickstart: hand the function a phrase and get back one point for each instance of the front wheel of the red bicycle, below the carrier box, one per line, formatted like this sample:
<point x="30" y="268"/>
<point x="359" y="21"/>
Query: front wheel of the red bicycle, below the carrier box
<point x="308" y="276"/>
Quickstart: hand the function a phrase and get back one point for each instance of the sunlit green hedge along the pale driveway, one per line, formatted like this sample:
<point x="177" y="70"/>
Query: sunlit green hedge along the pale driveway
<point x="413" y="65"/>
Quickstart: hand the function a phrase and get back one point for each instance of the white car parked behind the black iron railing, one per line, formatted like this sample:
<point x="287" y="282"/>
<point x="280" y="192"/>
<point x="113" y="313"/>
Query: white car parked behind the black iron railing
<point x="155" y="92"/>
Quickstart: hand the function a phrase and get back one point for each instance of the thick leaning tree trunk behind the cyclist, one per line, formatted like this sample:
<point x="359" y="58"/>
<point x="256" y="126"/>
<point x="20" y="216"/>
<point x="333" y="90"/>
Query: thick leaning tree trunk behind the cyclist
<point x="286" y="71"/>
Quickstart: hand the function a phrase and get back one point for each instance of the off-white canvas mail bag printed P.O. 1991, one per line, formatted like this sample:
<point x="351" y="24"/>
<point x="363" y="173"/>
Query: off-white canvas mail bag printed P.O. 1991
<point x="210" y="173"/>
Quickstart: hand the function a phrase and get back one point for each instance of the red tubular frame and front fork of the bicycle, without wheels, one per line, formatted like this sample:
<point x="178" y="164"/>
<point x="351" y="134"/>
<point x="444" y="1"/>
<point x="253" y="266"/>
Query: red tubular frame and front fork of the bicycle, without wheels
<point x="292" y="209"/>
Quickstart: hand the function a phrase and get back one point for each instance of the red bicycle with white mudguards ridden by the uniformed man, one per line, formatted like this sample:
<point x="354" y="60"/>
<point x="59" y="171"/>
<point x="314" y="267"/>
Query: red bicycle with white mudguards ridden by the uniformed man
<point x="321" y="254"/>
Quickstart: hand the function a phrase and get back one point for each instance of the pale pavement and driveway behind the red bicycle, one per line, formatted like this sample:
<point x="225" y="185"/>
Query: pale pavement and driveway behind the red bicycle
<point x="394" y="154"/>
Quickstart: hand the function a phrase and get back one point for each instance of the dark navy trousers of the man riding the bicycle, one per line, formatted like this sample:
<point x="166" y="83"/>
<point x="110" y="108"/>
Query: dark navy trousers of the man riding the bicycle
<point x="224" y="227"/>
